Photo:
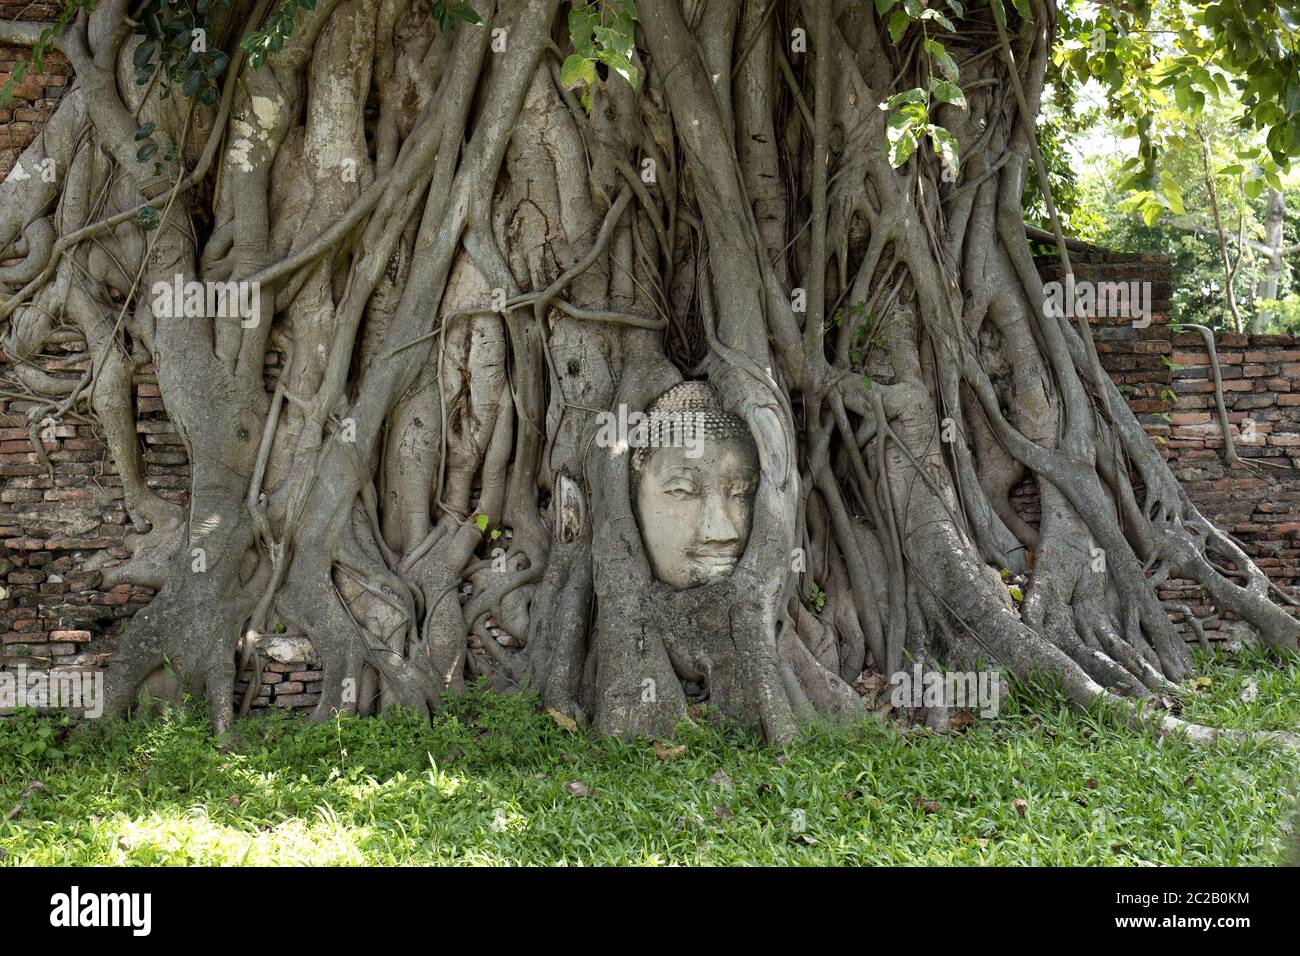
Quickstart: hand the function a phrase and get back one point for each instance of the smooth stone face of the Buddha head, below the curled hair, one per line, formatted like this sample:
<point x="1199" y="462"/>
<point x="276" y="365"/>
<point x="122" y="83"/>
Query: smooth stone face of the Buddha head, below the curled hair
<point x="695" y="512"/>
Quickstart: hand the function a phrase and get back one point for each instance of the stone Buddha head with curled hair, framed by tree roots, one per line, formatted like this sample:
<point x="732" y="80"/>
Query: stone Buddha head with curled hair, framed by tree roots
<point x="694" y="479"/>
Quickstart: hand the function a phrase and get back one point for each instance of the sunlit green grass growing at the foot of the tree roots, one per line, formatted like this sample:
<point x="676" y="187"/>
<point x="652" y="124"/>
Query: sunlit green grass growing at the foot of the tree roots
<point x="487" y="784"/>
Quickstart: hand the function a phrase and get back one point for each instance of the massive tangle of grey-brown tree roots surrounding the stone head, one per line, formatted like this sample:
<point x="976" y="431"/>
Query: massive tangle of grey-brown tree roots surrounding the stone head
<point x="462" y="262"/>
